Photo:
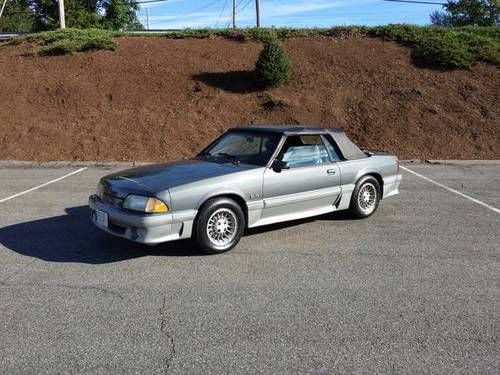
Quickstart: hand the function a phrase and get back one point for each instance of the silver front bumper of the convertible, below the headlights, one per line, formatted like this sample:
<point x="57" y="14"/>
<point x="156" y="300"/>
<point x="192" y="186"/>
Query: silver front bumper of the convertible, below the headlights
<point x="142" y="228"/>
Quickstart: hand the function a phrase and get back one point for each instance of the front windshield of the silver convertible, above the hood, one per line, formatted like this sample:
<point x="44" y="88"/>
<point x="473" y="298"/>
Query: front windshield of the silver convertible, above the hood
<point x="243" y="147"/>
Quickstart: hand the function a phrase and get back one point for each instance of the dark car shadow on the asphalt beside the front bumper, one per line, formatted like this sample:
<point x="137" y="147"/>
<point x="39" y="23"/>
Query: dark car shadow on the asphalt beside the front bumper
<point x="73" y="238"/>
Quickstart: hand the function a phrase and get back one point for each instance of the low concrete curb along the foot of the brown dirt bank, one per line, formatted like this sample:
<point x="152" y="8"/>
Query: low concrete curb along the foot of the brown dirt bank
<point x="128" y="164"/>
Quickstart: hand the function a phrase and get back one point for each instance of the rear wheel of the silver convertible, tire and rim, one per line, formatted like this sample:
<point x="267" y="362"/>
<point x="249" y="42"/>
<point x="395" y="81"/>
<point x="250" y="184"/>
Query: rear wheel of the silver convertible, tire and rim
<point x="365" y="198"/>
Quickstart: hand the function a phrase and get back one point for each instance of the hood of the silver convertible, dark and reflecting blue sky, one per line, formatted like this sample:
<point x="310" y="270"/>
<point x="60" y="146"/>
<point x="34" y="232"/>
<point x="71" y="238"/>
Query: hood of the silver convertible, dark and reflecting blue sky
<point x="152" y="179"/>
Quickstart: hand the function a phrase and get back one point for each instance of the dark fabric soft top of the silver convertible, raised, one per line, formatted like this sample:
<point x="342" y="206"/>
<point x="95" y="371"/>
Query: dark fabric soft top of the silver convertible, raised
<point x="348" y="149"/>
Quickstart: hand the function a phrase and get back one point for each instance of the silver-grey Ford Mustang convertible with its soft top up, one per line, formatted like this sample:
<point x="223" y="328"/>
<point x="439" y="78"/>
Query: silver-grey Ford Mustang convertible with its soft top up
<point x="251" y="176"/>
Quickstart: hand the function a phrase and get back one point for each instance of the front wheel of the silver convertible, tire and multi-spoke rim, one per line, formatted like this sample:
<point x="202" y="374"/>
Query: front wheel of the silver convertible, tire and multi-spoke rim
<point x="219" y="226"/>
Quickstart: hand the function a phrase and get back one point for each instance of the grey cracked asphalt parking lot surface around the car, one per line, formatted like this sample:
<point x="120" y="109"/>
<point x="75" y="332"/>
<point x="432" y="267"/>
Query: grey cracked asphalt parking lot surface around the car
<point x="413" y="289"/>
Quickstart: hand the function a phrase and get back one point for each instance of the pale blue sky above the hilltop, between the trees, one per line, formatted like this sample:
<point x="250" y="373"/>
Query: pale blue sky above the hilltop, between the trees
<point x="175" y="14"/>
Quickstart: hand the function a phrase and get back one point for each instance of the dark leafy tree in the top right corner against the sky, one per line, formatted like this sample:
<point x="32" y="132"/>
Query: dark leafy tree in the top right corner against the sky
<point x="468" y="12"/>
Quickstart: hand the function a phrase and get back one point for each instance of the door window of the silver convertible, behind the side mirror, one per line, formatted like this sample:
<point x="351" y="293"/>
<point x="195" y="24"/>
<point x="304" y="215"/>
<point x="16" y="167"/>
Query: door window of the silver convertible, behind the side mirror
<point x="304" y="150"/>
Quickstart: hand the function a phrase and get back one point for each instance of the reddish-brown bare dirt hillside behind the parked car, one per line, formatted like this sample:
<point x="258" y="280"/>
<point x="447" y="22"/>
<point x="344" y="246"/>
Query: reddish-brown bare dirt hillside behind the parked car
<point x="158" y="99"/>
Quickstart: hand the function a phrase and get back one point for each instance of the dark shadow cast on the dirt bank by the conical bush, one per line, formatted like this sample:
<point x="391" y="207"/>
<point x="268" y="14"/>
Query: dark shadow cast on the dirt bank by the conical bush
<point x="240" y="82"/>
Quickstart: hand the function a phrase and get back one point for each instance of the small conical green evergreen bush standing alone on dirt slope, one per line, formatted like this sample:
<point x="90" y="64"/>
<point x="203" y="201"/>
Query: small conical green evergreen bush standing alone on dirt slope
<point x="273" y="66"/>
